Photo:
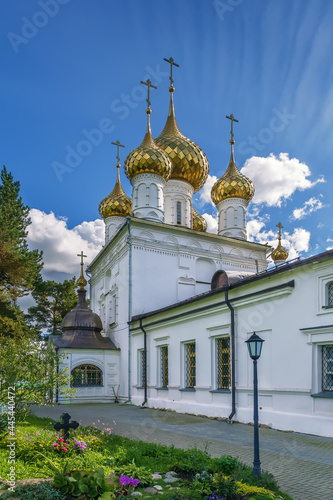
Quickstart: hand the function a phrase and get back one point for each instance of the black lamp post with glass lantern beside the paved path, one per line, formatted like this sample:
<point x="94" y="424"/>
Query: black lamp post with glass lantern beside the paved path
<point x="254" y="344"/>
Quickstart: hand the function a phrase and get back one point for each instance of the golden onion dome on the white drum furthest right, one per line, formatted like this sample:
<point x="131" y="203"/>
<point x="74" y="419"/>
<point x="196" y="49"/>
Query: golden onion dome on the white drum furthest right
<point x="233" y="184"/>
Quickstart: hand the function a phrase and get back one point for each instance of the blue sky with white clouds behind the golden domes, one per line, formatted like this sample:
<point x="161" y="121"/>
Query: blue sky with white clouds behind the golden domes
<point x="70" y="67"/>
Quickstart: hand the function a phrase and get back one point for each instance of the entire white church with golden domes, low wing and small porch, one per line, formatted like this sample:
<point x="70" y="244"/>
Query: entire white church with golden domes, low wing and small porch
<point x="173" y="305"/>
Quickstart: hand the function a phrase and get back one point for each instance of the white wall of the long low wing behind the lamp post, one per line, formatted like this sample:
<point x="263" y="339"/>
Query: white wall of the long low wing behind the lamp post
<point x="294" y="327"/>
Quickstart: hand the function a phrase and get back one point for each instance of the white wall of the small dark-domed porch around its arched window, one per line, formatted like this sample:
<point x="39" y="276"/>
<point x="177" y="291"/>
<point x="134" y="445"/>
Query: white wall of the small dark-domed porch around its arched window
<point x="107" y="361"/>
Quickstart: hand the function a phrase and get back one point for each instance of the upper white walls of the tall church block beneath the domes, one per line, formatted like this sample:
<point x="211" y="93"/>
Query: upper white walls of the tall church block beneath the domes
<point x="168" y="264"/>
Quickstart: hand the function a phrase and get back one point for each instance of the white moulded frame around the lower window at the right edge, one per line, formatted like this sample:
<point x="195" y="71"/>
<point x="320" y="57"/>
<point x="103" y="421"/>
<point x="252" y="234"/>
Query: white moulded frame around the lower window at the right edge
<point x="318" y="337"/>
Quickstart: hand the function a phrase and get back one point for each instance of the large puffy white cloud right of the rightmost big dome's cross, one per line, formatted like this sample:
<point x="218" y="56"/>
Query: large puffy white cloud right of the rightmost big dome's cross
<point x="276" y="178"/>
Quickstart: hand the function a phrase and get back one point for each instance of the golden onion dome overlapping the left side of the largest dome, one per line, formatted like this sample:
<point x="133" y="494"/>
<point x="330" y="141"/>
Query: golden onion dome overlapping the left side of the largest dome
<point x="147" y="158"/>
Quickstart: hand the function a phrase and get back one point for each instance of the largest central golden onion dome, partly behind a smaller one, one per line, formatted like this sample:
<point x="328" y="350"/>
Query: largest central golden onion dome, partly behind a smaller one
<point x="189" y="162"/>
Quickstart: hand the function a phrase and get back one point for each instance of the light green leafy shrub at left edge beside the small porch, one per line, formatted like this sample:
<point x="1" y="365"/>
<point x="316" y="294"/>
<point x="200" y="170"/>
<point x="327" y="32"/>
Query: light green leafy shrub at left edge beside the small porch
<point x="28" y="373"/>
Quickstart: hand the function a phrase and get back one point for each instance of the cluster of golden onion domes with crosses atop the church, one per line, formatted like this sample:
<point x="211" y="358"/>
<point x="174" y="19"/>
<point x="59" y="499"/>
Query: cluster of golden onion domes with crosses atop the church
<point x="173" y="156"/>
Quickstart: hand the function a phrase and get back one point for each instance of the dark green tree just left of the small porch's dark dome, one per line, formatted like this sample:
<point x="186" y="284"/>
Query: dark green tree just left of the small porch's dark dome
<point x="53" y="302"/>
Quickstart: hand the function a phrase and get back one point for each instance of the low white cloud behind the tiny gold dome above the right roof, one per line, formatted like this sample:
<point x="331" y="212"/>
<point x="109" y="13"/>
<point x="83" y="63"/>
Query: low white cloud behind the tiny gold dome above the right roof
<point x="296" y="242"/>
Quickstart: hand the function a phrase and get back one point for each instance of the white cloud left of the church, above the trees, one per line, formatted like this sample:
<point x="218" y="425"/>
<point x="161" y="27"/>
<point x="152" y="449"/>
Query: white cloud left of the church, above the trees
<point x="61" y="245"/>
